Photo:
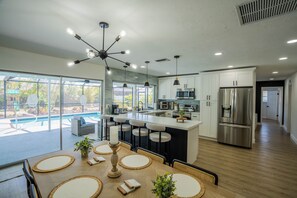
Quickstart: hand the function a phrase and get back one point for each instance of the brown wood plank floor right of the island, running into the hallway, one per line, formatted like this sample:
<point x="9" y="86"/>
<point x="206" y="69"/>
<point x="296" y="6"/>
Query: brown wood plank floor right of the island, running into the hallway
<point x="269" y="169"/>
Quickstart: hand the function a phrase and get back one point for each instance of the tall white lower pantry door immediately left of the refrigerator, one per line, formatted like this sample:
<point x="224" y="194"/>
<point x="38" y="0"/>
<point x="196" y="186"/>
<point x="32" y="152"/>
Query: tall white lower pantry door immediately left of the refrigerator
<point x="209" y="118"/>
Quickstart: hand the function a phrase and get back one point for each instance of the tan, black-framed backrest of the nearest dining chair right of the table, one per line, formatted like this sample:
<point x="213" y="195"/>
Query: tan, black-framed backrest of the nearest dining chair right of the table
<point x="196" y="171"/>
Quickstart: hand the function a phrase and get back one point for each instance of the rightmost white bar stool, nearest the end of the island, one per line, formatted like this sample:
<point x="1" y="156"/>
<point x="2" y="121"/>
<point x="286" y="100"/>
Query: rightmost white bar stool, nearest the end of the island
<point x="159" y="136"/>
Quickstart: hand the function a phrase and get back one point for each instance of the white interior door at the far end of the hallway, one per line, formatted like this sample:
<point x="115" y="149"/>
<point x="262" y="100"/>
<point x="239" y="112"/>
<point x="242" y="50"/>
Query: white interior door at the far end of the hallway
<point x="272" y="100"/>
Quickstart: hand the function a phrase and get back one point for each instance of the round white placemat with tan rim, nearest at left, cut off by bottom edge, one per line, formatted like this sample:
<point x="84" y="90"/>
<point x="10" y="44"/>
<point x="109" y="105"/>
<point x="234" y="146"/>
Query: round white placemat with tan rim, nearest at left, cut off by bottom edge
<point x="76" y="188"/>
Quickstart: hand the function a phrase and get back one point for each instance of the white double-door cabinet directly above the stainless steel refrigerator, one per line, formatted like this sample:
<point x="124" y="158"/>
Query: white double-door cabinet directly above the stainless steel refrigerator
<point x="237" y="78"/>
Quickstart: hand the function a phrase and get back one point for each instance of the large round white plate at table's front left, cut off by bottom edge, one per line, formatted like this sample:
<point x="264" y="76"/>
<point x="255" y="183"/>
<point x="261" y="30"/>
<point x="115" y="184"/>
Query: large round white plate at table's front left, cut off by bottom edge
<point x="77" y="187"/>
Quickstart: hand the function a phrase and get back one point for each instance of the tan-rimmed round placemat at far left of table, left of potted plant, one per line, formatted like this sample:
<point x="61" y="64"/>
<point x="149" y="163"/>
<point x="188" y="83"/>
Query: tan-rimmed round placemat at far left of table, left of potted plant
<point x="50" y="160"/>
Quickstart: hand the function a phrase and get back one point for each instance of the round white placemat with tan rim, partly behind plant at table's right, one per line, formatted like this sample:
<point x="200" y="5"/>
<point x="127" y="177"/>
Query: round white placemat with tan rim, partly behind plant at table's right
<point x="184" y="184"/>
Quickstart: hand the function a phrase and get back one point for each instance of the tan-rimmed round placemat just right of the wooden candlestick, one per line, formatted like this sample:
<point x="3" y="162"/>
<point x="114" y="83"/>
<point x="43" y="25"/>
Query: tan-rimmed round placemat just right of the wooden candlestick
<point x="136" y="158"/>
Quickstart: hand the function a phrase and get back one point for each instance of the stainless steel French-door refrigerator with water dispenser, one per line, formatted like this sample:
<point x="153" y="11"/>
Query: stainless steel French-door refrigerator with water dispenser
<point x="235" y="116"/>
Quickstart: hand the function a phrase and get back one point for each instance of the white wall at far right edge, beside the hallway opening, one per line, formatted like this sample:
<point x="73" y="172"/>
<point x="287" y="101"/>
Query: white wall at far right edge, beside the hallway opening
<point x="293" y="107"/>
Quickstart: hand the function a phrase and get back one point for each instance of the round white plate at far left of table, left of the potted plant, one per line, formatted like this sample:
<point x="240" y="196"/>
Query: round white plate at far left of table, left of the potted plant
<point x="53" y="163"/>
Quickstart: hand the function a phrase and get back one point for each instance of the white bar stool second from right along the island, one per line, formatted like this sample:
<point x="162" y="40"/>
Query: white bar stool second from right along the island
<point x="138" y="131"/>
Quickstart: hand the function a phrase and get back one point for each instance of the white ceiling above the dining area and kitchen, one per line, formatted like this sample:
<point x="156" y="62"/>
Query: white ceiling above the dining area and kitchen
<point x="194" y="29"/>
